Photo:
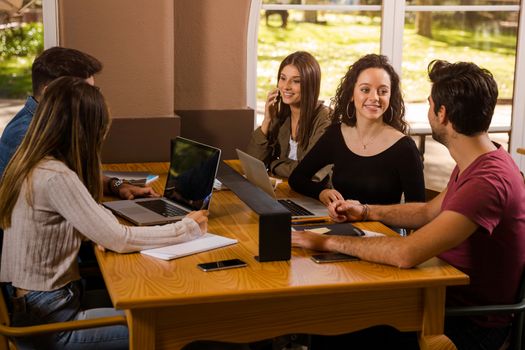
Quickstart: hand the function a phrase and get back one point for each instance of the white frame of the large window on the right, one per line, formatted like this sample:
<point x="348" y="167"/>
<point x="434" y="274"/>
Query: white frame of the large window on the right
<point x="392" y="27"/>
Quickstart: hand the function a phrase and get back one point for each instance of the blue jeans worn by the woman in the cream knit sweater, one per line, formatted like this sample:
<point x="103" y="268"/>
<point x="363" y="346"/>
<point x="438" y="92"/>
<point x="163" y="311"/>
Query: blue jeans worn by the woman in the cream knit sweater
<point x="64" y="305"/>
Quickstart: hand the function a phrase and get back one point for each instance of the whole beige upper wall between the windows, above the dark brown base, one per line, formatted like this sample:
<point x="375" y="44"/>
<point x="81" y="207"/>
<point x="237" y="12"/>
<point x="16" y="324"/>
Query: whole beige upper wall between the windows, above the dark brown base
<point x="163" y="55"/>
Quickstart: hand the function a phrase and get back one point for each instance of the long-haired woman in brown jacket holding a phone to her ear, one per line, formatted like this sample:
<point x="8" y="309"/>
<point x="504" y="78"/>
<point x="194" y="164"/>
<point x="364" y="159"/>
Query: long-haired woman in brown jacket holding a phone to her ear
<point x="294" y="118"/>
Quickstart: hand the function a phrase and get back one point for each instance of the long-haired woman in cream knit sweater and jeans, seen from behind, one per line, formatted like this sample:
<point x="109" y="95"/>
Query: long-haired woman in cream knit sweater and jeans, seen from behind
<point x="50" y="194"/>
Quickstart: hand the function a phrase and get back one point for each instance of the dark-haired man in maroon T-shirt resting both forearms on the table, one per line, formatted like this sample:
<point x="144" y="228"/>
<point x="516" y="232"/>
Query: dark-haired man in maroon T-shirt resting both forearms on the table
<point x="476" y="224"/>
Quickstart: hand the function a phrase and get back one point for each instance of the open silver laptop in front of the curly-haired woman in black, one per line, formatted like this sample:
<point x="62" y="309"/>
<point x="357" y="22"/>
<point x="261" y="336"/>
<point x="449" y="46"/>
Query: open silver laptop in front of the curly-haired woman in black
<point x="256" y="173"/>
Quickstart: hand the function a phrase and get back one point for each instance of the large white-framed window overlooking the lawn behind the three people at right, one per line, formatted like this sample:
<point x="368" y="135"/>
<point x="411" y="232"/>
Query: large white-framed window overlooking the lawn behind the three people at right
<point x="411" y="33"/>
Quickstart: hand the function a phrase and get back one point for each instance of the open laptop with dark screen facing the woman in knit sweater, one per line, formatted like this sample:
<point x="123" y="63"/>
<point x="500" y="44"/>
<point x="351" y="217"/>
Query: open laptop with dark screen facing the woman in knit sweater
<point x="189" y="186"/>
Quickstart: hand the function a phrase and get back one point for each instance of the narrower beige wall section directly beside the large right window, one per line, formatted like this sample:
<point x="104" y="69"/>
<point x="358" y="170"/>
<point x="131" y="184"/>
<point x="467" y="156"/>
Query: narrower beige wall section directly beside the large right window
<point x="210" y="53"/>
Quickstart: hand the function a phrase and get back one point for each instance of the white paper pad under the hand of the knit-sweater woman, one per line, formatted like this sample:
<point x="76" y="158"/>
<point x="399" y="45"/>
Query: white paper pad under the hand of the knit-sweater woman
<point x="207" y="242"/>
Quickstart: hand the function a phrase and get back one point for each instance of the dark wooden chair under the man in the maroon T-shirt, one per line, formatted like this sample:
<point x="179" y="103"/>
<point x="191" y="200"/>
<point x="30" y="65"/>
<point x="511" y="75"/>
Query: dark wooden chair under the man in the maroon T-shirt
<point x="516" y="340"/>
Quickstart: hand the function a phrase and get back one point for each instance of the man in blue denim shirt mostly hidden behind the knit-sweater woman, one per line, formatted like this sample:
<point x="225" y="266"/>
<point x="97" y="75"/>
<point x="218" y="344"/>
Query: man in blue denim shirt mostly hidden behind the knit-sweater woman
<point x="53" y="63"/>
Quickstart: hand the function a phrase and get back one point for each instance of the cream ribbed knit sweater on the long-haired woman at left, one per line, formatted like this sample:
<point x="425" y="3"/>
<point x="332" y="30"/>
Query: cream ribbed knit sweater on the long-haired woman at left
<point x="40" y="248"/>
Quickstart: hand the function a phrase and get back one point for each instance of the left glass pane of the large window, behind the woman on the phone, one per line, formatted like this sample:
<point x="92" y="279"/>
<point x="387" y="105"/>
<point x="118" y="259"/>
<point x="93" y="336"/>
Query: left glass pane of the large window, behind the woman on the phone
<point x="335" y="39"/>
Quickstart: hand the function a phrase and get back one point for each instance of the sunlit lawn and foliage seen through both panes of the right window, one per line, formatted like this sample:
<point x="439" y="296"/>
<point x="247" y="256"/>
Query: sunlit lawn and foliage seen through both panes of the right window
<point x="339" y="39"/>
